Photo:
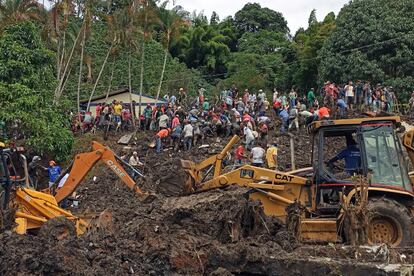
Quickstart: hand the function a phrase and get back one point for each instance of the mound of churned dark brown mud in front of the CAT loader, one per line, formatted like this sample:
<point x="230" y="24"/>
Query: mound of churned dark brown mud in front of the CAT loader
<point x="188" y="235"/>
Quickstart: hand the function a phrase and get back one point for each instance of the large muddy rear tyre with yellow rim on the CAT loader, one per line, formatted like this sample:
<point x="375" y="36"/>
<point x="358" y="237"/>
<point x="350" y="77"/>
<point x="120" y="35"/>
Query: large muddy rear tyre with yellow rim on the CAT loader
<point x="388" y="222"/>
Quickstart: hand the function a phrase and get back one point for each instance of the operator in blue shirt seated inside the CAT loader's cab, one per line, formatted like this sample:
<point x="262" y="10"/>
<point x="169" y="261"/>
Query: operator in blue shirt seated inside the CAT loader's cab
<point x="352" y="156"/>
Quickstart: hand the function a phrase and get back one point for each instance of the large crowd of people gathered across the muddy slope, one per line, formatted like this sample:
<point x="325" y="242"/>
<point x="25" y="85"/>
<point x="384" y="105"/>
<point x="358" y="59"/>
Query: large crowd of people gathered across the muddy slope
<point x="182" y="124"/>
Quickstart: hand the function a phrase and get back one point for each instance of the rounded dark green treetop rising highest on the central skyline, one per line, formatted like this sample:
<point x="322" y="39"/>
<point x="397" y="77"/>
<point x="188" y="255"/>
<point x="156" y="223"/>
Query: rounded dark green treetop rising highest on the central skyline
<point x="253" y="18"/>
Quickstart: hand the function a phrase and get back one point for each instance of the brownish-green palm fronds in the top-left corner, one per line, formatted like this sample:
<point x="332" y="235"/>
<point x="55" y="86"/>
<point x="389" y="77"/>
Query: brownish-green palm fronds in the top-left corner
<point x="12" y="11"/>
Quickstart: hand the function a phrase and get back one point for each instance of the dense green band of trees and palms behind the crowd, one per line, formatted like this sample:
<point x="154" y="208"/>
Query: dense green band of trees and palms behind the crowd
<point x="81" y="48"/>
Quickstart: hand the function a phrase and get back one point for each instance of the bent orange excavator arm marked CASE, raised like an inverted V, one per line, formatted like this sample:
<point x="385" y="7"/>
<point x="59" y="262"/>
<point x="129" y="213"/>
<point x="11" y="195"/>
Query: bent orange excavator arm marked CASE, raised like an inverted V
<point x="84" y="162"/>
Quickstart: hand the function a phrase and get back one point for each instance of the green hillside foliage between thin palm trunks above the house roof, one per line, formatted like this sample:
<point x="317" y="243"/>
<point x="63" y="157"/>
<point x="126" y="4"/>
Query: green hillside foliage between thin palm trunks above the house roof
<point x="177" y="74"/>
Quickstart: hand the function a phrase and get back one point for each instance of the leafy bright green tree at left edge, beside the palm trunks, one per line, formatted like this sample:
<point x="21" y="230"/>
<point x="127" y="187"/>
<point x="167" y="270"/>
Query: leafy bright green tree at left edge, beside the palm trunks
<point x="26" y="86"/>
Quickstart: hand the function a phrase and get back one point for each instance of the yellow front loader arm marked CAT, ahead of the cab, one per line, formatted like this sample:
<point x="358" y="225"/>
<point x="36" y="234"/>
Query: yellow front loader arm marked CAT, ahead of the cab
<point x="274" y="189"/>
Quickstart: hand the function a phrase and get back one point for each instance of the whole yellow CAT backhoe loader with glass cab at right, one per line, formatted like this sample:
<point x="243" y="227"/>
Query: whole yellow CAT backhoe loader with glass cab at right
<point x="329" y="184"/>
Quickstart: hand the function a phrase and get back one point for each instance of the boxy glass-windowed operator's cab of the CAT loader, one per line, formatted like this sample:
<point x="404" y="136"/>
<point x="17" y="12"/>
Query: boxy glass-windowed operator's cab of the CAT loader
<point x="343" y="149"/>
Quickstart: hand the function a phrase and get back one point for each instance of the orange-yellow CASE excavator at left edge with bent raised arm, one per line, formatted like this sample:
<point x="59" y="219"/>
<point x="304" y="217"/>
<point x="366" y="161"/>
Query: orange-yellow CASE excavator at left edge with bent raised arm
<point x="35" y="209"/>
